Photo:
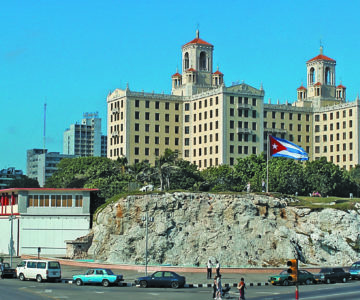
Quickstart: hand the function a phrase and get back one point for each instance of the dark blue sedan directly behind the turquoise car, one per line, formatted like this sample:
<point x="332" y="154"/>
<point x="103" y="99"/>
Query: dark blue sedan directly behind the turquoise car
<point x="162" y="279"/>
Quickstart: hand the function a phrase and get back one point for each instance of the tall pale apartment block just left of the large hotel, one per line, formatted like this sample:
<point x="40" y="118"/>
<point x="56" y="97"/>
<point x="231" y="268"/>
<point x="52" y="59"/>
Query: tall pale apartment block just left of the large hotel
<point x="85" y="139"/>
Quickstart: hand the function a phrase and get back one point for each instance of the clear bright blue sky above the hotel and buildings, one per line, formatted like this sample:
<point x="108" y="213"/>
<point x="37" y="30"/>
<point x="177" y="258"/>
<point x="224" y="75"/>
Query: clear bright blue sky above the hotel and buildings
<point x="70" y="53"/>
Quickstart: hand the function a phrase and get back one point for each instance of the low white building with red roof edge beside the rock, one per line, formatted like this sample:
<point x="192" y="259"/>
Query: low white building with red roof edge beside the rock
<point x="43" y="217"/>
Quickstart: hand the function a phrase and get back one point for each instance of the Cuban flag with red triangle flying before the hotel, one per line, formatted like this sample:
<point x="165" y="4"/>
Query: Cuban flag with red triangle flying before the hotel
<point x="284" y="148"/>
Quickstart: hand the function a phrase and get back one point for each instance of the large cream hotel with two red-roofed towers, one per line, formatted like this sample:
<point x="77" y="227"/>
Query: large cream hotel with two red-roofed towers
<point x="211" y="124"/>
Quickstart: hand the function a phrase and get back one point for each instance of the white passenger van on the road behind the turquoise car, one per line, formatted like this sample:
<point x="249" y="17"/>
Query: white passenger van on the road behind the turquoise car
<point x="39" y="270"/>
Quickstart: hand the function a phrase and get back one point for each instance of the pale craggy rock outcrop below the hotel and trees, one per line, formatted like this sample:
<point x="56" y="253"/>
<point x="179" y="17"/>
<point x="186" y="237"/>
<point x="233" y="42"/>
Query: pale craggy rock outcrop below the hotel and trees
<point x="239" y="230"/>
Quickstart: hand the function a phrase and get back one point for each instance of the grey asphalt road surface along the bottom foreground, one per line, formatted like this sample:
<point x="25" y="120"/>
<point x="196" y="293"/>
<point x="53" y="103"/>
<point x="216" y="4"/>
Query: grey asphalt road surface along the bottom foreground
<point x="30" y="290"/>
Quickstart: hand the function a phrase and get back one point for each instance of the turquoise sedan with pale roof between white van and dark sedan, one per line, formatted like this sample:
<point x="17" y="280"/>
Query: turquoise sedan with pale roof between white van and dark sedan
<point x="105" y="277"/>
